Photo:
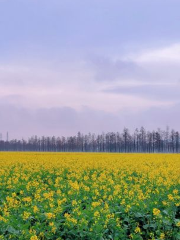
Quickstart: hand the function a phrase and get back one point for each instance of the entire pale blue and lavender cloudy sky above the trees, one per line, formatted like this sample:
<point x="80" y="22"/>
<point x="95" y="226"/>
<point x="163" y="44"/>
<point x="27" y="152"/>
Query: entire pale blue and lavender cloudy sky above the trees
<point x="89" y="66"/>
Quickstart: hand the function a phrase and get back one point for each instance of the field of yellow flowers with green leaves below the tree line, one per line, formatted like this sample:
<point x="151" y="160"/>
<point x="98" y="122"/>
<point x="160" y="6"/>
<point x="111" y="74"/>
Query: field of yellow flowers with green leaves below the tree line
<point x="89" y="196"/>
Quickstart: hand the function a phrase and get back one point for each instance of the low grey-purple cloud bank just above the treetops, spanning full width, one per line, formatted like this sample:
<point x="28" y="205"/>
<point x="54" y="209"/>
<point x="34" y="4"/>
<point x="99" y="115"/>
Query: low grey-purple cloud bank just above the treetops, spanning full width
<point x="24" y="122"/>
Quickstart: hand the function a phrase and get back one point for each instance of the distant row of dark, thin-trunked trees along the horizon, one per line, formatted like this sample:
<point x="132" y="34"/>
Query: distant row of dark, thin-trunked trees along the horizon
<point x="140" y="141"/>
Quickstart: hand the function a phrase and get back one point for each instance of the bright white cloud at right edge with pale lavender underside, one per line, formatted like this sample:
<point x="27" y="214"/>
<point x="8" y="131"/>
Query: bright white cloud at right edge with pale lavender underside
<point x="160" y="64"/>
